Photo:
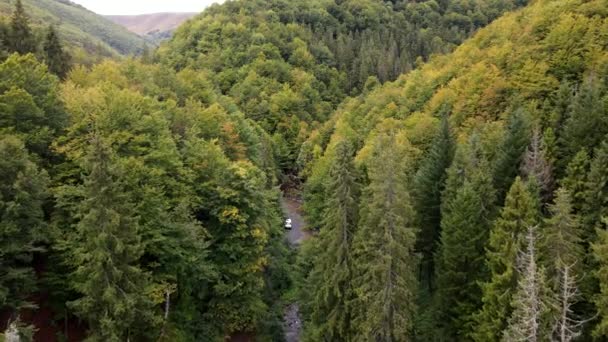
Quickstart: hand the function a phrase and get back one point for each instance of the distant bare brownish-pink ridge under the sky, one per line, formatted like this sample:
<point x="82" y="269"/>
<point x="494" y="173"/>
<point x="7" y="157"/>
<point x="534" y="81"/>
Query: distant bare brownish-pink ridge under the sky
<point x="155" y="26"/>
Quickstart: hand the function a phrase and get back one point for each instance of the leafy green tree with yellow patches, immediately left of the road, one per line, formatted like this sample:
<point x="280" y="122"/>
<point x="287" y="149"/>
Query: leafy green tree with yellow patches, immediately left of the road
<point x="231" y="203"/>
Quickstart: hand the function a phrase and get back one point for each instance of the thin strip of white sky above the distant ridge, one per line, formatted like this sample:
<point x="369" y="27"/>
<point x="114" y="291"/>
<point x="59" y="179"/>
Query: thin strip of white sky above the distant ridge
<point x="144" y="6"/>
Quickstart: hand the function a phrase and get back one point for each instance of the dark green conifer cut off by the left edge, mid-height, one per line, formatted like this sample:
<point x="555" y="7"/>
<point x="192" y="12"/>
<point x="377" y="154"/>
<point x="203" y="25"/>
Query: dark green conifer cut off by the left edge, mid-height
<point x="23" y="190"/>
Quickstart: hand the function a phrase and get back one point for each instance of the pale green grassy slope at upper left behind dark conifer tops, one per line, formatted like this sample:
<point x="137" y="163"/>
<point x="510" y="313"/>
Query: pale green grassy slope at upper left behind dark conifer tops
<point x="82" y="29"/>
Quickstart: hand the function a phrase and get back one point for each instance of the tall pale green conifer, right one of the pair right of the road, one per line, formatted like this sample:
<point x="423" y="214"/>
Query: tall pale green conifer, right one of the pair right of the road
<point x="385" y="263"/>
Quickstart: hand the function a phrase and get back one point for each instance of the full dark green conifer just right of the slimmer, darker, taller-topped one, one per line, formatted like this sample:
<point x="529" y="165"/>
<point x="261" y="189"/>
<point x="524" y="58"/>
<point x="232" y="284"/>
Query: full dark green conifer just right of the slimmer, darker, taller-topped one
<point x="466" y="217"/>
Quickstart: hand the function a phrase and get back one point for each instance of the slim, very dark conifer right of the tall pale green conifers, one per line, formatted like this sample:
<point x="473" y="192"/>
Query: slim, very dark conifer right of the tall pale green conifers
<point x="428" y="184"/>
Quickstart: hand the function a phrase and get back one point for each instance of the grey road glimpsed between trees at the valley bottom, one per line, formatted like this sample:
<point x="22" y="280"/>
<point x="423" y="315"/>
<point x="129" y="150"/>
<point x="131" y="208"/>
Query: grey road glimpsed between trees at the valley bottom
<point x="292" y="208"/>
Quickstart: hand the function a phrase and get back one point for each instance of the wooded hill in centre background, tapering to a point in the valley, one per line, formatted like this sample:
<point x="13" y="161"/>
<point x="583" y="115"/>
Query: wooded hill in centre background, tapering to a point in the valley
<point x="288" y="64"/>
